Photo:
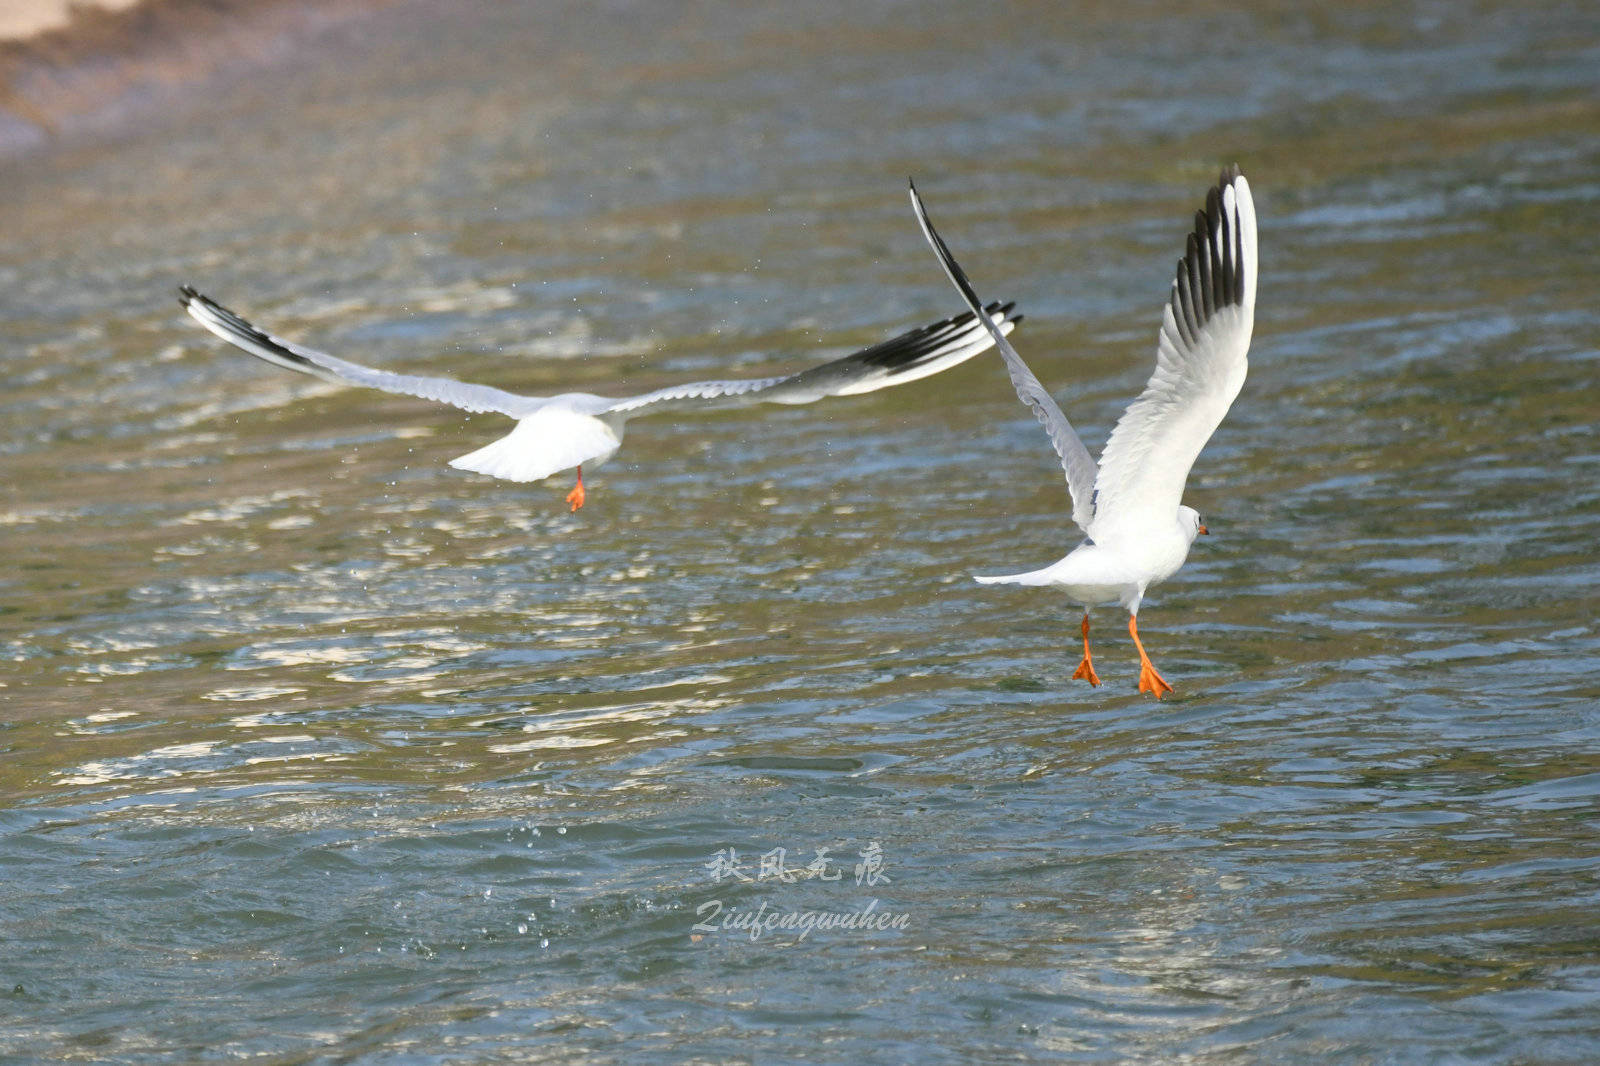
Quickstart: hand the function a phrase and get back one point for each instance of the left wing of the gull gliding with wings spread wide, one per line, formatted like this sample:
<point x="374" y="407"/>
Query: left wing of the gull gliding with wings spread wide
<point x="274" y="350"/>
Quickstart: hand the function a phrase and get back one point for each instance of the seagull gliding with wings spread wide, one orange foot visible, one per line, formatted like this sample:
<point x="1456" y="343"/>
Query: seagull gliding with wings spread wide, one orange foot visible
<point x="558" y="433"/>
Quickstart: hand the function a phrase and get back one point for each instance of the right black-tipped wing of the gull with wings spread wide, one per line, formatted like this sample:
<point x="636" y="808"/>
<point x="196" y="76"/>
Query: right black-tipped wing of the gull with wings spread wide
<point x="906" y="358"/>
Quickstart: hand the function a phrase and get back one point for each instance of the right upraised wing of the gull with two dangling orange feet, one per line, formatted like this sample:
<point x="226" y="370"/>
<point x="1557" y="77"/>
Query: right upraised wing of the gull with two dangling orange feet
<point x="1199" y="364"/>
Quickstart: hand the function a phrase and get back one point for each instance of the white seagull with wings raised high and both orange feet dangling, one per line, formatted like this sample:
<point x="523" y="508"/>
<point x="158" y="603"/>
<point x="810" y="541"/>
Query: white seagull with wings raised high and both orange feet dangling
<point x="1129" y="507"/>
